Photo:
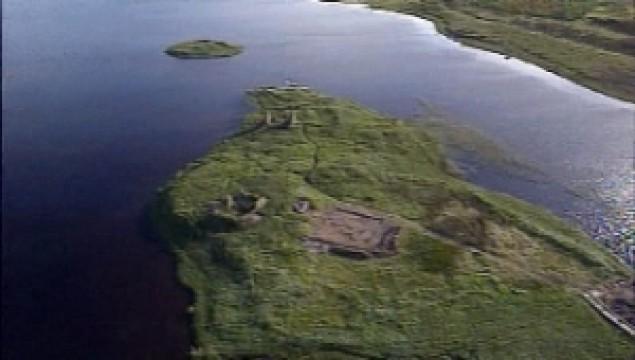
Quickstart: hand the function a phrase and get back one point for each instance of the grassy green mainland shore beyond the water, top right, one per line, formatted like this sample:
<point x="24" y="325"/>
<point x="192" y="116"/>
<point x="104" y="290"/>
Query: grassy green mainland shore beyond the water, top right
<point x="591" y="42"/>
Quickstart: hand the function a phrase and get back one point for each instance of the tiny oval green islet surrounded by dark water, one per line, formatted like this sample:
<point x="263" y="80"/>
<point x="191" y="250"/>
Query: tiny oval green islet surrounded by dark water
<point x="203" y="49"/>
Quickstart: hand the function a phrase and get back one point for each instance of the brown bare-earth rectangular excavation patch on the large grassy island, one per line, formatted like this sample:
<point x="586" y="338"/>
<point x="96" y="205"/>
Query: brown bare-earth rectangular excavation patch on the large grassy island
<point x="351" y="232"/>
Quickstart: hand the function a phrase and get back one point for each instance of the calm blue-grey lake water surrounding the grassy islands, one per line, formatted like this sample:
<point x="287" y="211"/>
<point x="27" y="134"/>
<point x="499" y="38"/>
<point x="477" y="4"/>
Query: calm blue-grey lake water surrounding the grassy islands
<point x="96" y="118"/>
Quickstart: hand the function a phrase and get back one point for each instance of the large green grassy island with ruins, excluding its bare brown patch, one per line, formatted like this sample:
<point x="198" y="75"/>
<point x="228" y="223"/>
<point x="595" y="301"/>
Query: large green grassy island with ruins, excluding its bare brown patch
<point x="476" y="274"/>
